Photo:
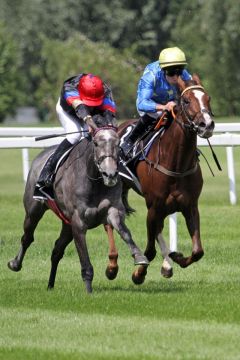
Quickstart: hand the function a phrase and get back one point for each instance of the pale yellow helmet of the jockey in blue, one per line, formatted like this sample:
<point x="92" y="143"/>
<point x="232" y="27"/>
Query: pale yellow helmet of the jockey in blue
<point x="171" y="57"/>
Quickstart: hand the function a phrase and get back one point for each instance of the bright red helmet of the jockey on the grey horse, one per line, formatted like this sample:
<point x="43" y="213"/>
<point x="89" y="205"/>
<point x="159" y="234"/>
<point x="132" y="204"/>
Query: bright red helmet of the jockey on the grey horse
<point x="91" y="90"/>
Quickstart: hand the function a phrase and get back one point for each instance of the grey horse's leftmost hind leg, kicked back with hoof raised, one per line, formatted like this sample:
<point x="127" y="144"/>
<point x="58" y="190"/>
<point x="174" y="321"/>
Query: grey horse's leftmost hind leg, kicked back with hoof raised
<point x="31" y="220"/>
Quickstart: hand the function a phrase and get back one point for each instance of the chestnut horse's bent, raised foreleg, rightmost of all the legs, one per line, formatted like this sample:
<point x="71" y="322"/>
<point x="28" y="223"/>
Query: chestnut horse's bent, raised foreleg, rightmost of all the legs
<point x="193" y="225"/>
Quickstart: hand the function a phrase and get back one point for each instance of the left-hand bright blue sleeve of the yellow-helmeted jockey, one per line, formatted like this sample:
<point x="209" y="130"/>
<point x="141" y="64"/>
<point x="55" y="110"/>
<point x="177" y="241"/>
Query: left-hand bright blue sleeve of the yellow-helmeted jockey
<point x="145" y="92"/>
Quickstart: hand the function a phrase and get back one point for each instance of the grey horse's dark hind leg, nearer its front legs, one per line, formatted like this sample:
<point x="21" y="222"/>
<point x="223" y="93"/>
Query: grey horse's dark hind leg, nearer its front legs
<point x="58" y="251"/>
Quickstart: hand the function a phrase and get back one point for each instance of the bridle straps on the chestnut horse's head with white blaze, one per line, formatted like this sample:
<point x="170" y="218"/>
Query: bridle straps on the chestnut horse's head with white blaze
<point x="190" y="125"/>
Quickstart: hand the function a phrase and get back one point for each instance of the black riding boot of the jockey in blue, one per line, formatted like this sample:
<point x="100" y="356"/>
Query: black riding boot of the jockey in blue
<point x="139" y="129"/>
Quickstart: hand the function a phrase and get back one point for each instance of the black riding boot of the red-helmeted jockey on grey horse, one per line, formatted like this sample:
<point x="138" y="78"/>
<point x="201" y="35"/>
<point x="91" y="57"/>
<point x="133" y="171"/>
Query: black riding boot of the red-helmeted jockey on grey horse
<point x="46" y="175"/>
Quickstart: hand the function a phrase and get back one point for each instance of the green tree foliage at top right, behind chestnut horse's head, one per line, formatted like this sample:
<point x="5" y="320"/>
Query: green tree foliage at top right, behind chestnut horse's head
<point x="209" y="33"/>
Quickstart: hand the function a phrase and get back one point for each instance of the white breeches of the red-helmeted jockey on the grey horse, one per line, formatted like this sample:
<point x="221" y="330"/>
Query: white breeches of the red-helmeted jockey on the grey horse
<point x="71" y="124"/>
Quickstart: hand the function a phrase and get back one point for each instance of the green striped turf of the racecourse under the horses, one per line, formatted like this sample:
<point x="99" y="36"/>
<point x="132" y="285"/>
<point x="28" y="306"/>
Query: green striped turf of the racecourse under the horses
<point x="194" y="315"/>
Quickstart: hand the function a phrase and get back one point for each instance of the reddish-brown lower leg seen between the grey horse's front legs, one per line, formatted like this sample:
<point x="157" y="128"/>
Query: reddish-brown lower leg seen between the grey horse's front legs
<point x="112" y="268"/>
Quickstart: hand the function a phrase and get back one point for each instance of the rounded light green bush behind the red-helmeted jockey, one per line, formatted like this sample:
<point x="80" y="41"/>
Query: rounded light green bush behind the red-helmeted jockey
<point x="84" y="55"/>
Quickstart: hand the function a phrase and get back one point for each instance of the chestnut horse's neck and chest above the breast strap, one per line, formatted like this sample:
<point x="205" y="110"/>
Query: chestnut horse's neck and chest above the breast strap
<point x="178" y="148"/>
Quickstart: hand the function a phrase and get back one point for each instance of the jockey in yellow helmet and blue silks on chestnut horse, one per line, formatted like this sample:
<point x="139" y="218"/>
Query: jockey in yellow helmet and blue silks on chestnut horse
<point x="157" y="91"/>
